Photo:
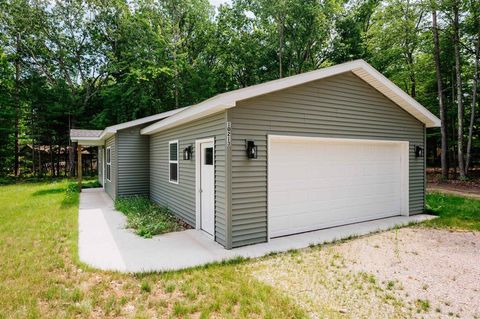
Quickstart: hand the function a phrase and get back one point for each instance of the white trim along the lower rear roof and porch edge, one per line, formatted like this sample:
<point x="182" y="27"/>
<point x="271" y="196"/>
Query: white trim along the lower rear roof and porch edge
<point x="111" y="130"/>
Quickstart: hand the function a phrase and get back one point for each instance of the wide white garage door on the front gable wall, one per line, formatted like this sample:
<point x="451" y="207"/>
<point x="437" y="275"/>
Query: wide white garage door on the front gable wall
<point x="316" y="183"/>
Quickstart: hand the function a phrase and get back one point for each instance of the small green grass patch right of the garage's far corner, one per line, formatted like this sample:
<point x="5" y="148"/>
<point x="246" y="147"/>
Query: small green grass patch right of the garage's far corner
<point x="455" y="212"/>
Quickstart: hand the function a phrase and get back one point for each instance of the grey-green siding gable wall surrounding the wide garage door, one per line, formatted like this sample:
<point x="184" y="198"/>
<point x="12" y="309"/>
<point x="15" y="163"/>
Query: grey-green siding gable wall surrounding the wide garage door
<point x="342" y="106"/>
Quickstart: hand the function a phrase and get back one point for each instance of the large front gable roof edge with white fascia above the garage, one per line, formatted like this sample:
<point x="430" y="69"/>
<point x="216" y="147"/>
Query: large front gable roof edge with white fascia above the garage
<point x="359" y="67"/>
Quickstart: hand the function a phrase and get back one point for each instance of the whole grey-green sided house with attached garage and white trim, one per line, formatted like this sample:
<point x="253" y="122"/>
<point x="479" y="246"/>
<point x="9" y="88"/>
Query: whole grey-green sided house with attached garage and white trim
<point x="330" y="147"/>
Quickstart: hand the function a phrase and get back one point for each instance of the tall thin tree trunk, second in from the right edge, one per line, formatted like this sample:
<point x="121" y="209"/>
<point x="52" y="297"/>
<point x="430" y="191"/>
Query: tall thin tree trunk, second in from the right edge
<point x="458" y="74"/>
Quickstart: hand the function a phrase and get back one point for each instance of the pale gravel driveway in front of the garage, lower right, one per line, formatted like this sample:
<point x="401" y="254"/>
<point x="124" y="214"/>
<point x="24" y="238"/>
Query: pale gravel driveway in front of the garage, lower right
<point x="405" y="273"/>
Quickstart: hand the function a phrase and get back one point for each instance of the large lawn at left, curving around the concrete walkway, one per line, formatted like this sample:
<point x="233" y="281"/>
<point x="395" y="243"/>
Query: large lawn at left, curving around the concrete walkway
<point x="41" y="277"/>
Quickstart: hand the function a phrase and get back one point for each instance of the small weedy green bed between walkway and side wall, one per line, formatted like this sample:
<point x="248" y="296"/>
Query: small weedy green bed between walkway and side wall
<point x="147" y="218"/>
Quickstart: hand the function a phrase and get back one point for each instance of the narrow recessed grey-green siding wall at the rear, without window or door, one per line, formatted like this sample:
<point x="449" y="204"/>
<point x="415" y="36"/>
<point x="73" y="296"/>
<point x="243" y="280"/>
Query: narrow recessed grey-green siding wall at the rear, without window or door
<point x="133" y="162"/>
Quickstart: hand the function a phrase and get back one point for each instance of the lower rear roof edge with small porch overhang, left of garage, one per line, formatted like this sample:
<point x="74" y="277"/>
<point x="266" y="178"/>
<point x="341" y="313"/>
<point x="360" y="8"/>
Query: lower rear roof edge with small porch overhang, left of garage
<point x="97" y="136"/>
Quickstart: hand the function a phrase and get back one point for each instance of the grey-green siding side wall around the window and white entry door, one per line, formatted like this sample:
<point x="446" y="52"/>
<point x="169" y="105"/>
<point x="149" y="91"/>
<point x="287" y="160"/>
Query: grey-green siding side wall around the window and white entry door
<point x="180" y="198"/>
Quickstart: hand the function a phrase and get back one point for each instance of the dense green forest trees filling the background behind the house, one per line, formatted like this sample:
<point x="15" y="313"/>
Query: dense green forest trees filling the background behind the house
<point x="92" y="64"/>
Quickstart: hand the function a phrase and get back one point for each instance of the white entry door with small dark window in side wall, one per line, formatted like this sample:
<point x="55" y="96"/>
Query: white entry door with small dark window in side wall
<point x="207" y="187"/>
